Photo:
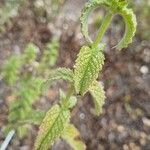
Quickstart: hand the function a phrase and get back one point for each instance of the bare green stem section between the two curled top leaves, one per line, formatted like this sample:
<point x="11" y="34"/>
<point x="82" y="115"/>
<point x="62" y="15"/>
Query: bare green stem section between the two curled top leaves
<point x="102" y="29"/>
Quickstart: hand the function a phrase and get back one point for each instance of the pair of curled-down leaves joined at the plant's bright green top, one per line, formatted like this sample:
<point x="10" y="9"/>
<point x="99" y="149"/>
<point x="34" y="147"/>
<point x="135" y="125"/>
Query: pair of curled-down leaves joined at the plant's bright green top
<point x="116" y="7"/>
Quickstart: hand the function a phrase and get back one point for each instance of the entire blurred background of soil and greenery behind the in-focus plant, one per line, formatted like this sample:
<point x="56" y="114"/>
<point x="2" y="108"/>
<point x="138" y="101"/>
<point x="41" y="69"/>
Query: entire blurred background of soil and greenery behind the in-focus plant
<point x="36" y="36"/>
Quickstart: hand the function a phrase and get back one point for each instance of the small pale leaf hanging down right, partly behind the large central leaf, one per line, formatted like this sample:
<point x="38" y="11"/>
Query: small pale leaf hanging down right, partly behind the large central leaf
<point x="98" y="94"/>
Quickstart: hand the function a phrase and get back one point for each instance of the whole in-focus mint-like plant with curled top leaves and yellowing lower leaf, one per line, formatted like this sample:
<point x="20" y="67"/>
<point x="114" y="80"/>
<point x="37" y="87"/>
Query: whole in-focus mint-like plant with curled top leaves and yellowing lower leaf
<point x="82" y="78"/>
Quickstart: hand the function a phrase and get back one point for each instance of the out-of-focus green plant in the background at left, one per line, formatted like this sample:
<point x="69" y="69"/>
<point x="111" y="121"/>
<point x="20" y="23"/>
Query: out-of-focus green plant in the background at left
<point x="27" y="86"/>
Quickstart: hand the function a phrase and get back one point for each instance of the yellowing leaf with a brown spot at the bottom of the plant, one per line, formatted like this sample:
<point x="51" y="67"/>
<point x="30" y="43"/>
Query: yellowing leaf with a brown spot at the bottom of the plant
<point x="71" y="135"/>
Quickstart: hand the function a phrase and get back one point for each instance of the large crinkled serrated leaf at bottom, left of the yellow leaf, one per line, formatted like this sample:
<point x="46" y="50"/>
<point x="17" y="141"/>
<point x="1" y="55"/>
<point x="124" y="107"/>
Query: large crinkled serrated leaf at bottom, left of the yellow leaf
<point x="52" y="127"/>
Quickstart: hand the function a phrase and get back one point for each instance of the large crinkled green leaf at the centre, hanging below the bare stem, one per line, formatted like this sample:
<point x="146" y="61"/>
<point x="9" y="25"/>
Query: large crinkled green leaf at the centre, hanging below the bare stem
<point x="87" y="67"/>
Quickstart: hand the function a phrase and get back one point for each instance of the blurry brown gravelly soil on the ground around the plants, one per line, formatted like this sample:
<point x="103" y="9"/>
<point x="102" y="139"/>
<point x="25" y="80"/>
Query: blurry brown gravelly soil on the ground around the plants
<point x="125" y="121"/>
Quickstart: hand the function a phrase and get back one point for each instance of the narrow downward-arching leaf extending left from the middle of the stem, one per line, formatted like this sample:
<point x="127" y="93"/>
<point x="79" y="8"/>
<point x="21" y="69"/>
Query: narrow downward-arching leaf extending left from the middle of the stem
<point x="60" y="73"/>
